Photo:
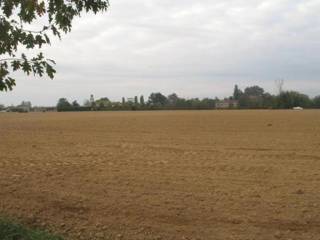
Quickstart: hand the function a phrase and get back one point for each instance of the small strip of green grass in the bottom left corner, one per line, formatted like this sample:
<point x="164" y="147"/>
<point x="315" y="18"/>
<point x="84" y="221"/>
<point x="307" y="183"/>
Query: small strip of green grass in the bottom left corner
<point x="14" y="231"/>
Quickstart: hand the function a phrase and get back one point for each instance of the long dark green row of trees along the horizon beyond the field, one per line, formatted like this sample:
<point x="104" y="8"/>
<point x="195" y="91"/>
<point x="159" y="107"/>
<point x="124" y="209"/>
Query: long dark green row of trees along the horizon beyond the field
<point x="253" y="97"/>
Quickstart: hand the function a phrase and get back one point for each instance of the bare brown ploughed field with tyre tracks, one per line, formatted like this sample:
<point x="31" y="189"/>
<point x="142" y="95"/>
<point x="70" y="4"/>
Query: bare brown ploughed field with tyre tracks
<point x="201" y="175"/>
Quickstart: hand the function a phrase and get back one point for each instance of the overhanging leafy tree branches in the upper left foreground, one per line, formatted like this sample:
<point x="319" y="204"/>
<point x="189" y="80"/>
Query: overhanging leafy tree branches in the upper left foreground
<point x="16" y="16"/>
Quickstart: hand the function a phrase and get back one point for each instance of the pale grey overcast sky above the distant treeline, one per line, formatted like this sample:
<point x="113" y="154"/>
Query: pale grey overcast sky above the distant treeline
<point x="194" y="48"/>
